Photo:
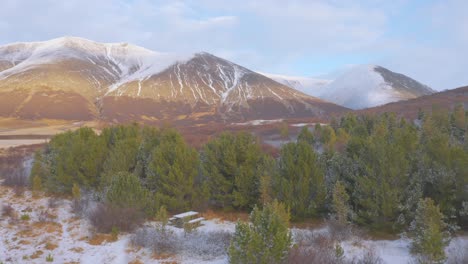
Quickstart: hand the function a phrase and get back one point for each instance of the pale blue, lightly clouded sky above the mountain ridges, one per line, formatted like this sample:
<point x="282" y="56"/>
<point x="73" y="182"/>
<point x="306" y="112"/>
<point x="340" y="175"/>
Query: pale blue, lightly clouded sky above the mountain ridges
<point x="424" y="39"/>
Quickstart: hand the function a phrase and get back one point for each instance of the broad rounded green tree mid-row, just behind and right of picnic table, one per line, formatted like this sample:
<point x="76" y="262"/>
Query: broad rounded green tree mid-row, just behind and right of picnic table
<point x="232" y="166"/>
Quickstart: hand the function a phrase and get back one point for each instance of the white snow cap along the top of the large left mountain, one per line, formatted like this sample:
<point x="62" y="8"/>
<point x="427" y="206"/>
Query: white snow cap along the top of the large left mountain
<point x="123" y="61"/>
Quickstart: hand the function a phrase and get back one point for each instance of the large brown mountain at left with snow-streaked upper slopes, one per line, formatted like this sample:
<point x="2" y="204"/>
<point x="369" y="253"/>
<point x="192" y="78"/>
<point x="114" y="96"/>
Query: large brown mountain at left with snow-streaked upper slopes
<point x="119" y="81"/>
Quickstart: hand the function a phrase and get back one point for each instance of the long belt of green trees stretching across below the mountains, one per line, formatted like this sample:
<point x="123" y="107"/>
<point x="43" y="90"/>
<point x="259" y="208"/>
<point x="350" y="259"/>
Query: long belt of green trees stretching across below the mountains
<point x="383" y="163"/>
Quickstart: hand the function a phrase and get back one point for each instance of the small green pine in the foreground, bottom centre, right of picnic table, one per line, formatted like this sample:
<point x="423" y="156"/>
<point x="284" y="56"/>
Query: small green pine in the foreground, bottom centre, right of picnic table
<point x="266" y="240"/>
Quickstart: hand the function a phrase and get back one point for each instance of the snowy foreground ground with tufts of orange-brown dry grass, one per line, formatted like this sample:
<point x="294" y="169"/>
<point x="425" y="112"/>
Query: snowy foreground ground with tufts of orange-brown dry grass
<point x="52" y="230"/>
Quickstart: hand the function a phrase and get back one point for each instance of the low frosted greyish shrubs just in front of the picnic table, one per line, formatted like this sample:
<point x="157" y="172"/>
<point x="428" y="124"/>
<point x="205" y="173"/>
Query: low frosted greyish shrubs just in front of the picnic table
<point x="208" y="245"/>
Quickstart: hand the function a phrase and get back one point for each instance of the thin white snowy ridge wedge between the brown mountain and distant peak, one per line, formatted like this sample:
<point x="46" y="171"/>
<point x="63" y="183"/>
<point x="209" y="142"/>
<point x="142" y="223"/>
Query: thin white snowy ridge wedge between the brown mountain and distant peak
<point x="307" y="85"/>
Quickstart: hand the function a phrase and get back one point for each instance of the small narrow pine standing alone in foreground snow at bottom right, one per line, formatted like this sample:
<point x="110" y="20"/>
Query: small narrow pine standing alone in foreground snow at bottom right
<point x="429" y="232"/>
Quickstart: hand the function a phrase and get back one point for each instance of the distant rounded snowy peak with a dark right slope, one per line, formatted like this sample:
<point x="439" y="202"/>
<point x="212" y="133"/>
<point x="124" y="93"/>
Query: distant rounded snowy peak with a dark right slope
<point x="371" y="85"/>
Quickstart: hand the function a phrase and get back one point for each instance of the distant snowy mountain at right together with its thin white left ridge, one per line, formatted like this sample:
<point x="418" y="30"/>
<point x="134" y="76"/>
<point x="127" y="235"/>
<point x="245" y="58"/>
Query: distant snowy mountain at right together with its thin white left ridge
<point x="358" y="86"/>
